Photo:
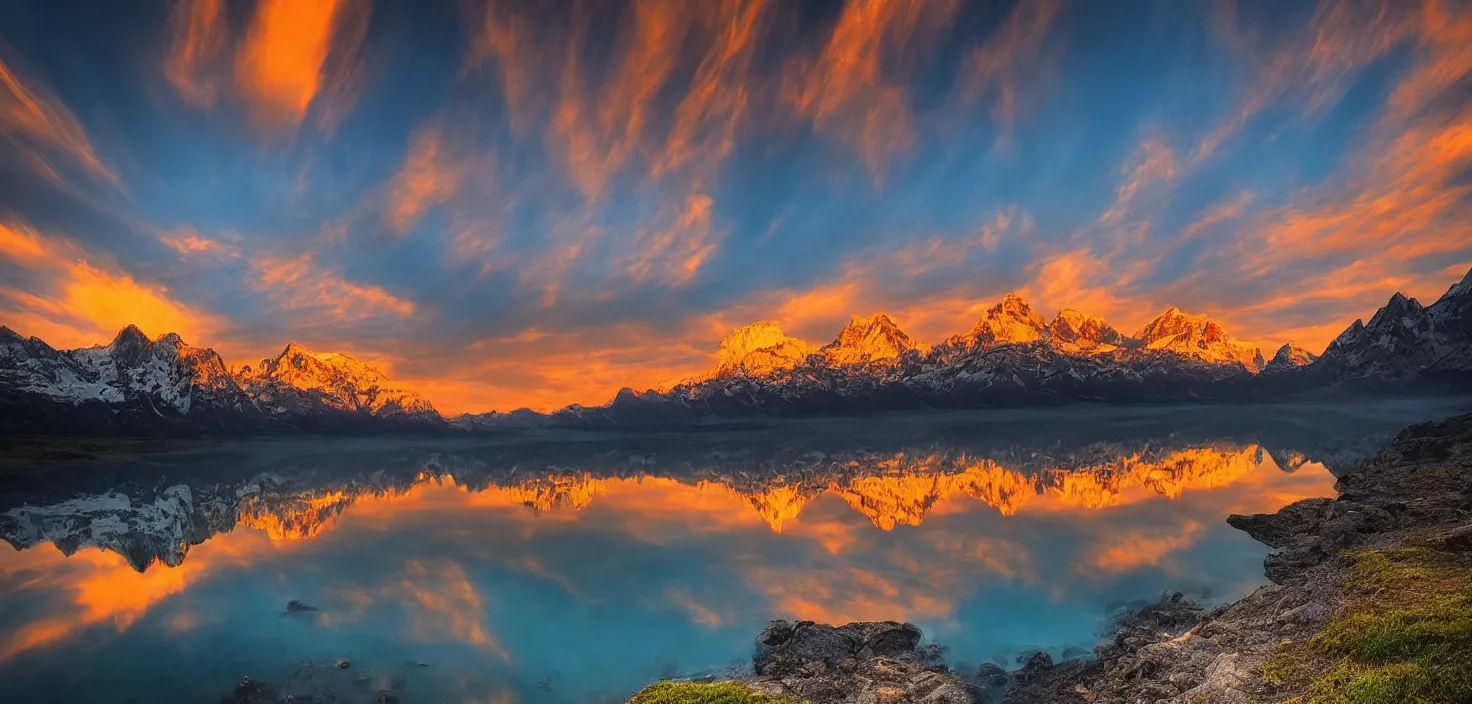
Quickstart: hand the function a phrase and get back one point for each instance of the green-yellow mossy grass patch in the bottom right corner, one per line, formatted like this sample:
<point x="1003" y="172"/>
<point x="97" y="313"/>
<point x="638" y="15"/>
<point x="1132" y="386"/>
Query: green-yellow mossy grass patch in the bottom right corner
<point x="1406" y="636"/>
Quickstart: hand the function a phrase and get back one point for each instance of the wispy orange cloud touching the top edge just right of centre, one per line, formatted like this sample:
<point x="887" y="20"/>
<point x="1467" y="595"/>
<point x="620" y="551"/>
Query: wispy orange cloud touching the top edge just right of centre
<point x="854" y="89"/>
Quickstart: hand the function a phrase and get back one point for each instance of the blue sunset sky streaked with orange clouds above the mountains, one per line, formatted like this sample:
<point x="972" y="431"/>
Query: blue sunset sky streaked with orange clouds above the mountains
<point x="532" y="204"/>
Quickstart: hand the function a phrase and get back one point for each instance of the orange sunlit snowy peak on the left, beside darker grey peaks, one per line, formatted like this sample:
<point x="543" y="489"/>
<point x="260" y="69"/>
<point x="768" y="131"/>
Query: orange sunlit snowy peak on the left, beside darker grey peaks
<point x="300" y="382"/>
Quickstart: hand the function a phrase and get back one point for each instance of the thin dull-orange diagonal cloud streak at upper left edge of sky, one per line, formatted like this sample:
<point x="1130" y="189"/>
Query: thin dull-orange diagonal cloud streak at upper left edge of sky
<point x="38" y="124"/>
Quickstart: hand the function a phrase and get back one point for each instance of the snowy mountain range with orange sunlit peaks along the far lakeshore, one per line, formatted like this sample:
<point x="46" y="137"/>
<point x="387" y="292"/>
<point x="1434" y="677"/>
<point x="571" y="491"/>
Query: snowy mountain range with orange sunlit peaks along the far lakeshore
<point x="1012" y="357"/>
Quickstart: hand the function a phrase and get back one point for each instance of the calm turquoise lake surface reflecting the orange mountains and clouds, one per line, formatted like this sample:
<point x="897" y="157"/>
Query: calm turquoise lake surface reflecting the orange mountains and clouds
<point x="576" y="568"/>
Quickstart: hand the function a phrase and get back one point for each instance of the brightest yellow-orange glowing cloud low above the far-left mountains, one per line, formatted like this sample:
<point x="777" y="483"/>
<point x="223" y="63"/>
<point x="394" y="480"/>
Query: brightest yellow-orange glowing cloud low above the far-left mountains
<point x="76" y="298"/>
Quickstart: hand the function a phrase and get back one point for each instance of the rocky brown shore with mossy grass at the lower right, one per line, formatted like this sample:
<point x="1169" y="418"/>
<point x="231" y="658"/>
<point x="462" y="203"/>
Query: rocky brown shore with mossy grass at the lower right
<point x="1371" y="602"/>
